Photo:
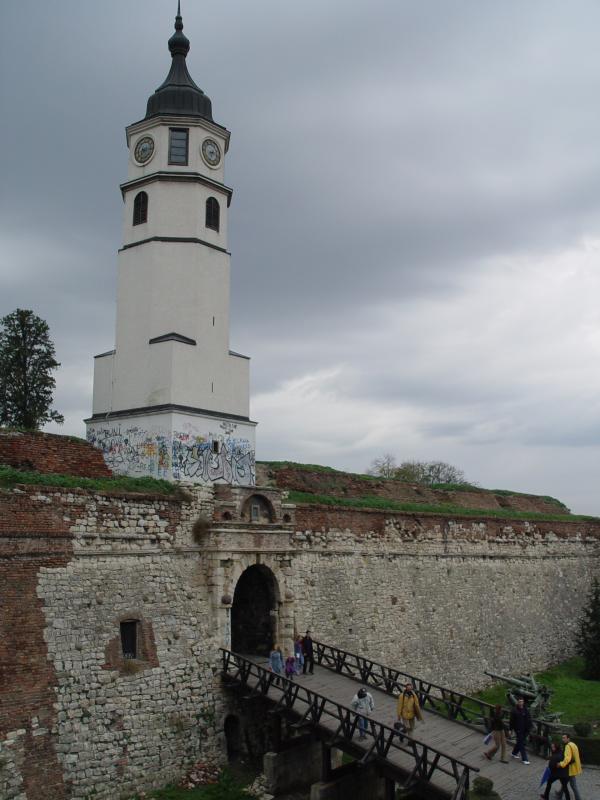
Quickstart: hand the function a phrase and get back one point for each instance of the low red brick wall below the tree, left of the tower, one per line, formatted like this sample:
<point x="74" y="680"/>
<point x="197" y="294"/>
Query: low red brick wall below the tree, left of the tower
<point x="47" y="452"/>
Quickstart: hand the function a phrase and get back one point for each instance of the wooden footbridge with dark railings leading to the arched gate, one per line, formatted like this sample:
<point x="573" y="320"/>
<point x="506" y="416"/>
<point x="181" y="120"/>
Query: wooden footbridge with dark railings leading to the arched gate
<point x="439" y="759"/>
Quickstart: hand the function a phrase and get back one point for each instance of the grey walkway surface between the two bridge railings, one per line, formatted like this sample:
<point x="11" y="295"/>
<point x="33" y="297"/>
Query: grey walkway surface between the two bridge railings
<point x="512" y="781"/>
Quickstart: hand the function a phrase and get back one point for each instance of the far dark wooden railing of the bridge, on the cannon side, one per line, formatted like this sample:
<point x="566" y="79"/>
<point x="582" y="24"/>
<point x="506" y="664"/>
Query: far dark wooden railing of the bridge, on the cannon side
<point x="439" y="699"/>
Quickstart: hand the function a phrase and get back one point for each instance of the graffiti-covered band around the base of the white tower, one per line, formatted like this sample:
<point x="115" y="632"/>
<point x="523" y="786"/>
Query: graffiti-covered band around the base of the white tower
<point x="182" y="455"/>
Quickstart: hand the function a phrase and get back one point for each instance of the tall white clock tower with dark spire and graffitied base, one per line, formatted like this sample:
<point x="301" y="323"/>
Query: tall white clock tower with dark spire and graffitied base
<point x="172" y="400"/>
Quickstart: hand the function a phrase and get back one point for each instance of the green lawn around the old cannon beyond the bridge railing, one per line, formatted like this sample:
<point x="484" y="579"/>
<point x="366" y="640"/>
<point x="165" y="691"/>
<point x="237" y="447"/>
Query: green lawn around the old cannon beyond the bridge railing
<point x="576" y="697"/>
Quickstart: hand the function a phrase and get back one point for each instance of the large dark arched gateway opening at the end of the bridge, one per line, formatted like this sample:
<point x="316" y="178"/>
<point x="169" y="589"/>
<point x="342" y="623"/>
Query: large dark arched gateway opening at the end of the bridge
<point x="252" y="623"/>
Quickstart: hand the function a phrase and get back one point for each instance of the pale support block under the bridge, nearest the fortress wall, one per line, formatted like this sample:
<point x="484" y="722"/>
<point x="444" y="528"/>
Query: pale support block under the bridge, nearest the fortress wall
<point x="295" y="767"/>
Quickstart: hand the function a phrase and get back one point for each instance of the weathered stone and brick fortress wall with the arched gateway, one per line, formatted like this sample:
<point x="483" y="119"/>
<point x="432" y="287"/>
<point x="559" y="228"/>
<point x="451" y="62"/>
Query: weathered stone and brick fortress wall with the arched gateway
<point x="443" y="598"/>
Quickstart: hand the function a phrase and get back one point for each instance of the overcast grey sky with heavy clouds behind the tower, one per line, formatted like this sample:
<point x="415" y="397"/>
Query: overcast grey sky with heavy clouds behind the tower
<point x="415" y="227"/>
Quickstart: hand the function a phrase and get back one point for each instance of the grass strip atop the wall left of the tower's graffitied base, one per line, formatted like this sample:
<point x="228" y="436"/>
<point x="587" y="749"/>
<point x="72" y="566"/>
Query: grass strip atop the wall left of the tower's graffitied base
<point x="11" y="477"/>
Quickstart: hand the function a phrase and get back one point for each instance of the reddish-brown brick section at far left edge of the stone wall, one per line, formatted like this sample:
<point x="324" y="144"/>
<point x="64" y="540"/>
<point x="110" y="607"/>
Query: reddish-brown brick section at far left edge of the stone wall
<point x="29" y="543"/>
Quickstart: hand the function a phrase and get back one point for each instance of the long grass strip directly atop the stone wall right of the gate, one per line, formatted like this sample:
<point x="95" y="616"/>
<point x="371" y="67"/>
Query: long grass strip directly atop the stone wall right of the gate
<point x="445" y="509"/>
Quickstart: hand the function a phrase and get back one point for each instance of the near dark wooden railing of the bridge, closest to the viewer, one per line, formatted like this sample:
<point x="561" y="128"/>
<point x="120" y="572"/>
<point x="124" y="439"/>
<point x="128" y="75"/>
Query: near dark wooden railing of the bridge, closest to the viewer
<point x="315" y="709"/>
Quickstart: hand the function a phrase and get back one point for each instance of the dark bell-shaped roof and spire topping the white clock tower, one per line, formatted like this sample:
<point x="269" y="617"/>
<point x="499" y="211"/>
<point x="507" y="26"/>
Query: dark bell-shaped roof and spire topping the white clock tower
<point x="178" y="94"/>
